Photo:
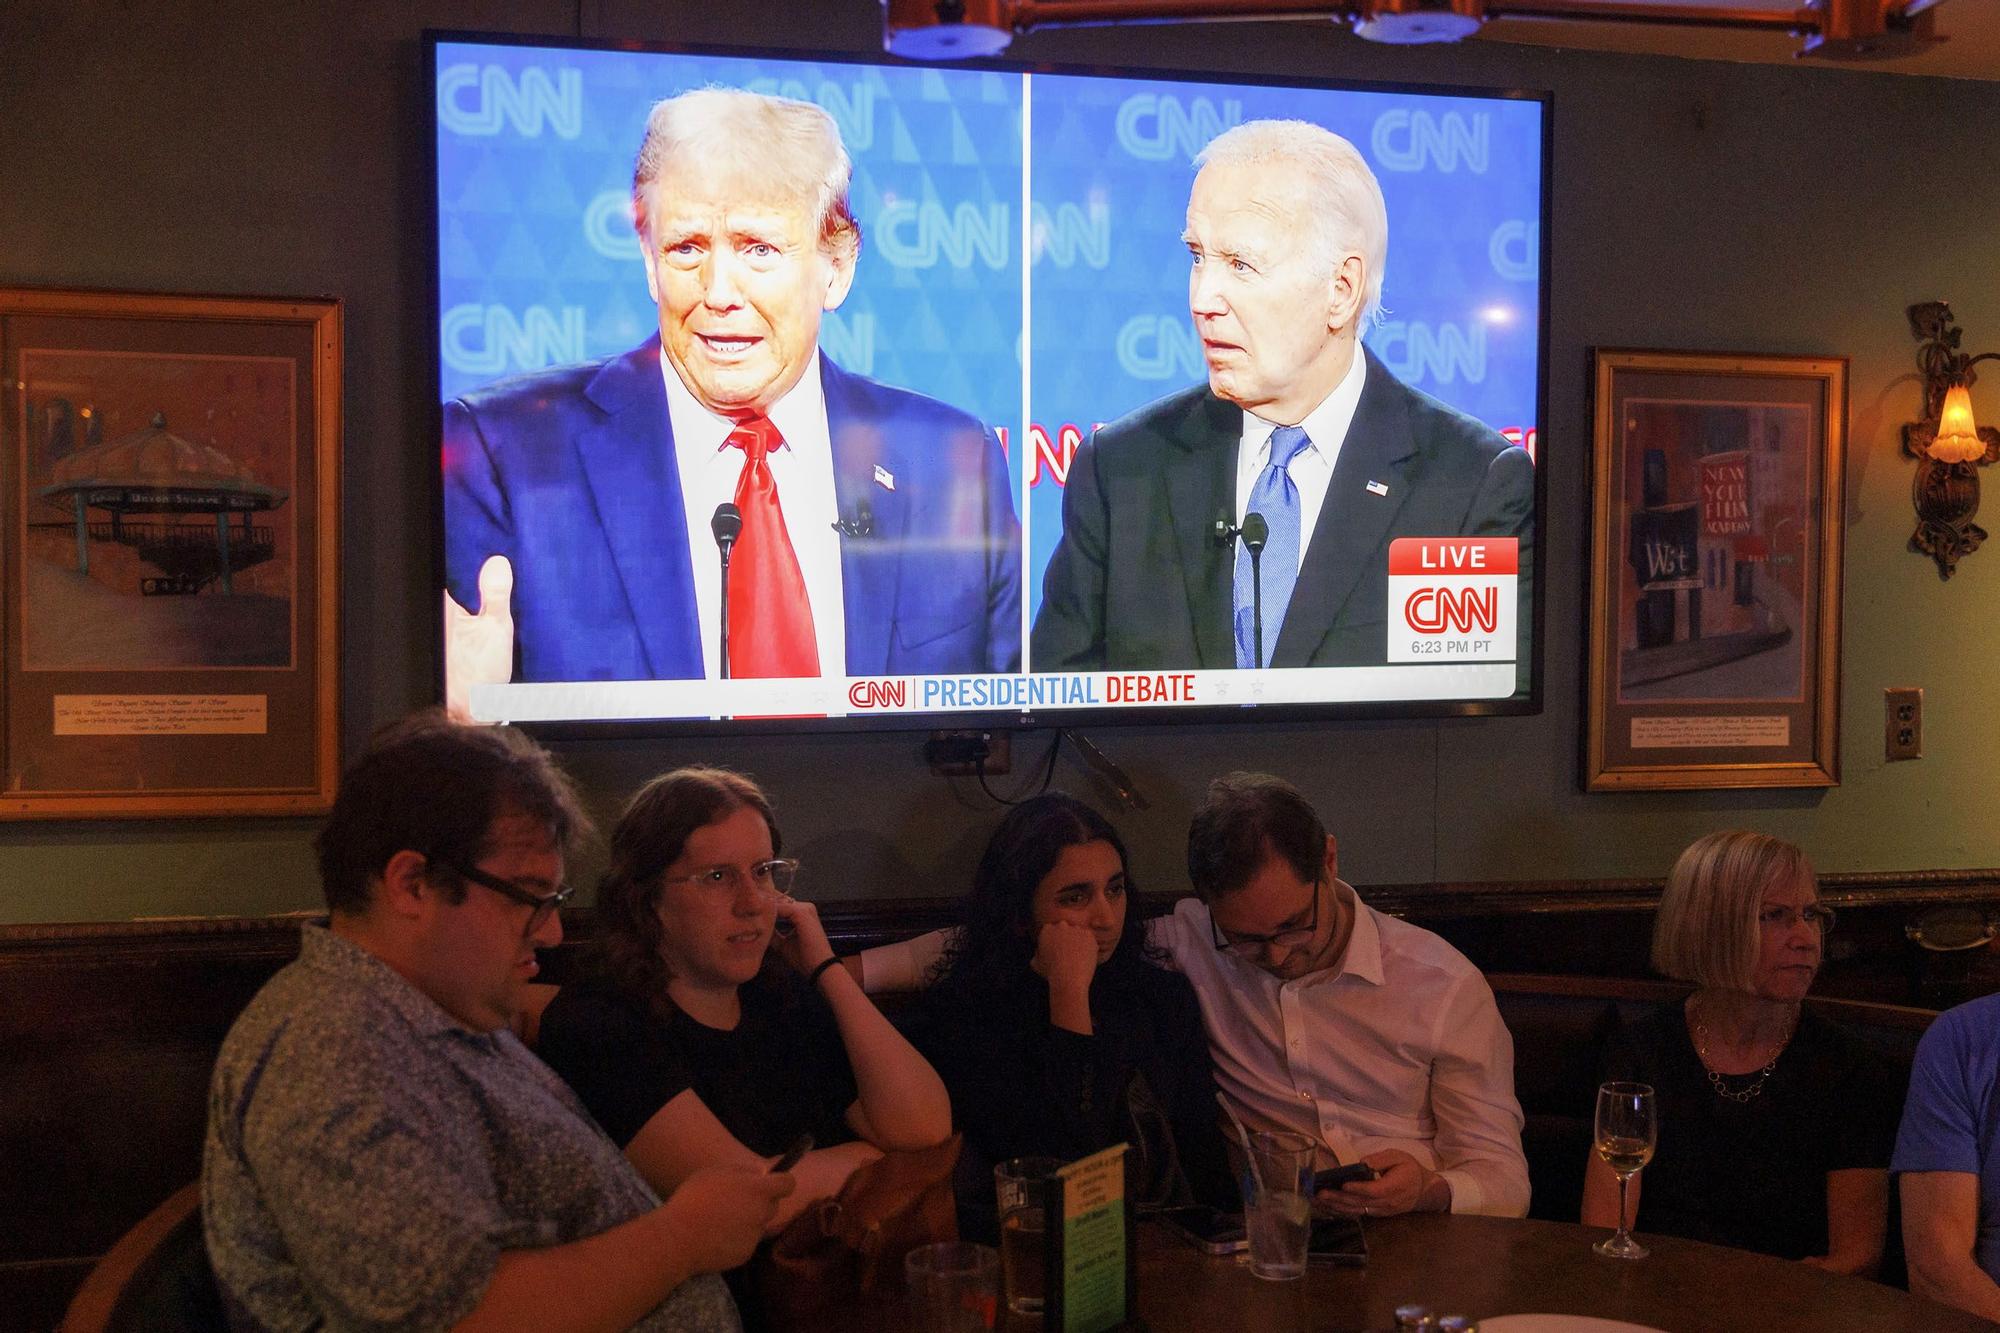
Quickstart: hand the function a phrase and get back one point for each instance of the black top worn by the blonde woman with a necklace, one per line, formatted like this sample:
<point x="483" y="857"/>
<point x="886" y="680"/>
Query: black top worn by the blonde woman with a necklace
<point x="1755" y="1174"/>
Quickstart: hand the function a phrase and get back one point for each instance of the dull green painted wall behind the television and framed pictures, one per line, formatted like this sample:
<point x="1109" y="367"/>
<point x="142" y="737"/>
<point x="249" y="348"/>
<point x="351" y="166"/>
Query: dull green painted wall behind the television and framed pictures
<point x="279" y="147"/>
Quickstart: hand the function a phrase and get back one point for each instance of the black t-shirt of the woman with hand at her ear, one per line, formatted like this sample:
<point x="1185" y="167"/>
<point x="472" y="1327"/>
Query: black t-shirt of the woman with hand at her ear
<point x="779" y="1074"/>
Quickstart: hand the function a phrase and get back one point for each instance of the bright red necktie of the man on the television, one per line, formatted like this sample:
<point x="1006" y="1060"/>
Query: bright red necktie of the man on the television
<point x="771" y="619"/>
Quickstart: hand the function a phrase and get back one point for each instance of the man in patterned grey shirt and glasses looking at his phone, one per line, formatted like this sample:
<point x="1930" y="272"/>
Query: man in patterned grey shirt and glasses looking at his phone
<point x="381" y="1148"/>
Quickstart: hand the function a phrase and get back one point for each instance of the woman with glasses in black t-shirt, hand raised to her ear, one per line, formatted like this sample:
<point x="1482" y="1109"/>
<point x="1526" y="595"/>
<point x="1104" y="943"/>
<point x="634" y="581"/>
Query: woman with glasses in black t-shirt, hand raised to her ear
<point x="717" y="1026"/>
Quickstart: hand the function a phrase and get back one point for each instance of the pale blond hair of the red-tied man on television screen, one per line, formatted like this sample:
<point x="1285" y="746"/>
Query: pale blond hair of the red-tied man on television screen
<point x="783" y="145"/>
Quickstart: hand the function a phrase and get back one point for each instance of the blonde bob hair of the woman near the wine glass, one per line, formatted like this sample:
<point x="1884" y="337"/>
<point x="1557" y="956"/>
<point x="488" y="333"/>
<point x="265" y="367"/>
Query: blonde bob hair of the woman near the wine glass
<point x="1707" y="926"/>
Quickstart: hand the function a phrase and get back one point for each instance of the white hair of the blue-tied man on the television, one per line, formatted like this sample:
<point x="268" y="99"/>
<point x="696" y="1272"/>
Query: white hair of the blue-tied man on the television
<point x="1345" y="201"/>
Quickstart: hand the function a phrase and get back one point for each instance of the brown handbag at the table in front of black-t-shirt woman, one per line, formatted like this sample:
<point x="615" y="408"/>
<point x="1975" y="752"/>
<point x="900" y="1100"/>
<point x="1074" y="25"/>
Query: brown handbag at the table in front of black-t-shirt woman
<point x="853" y="1246"/>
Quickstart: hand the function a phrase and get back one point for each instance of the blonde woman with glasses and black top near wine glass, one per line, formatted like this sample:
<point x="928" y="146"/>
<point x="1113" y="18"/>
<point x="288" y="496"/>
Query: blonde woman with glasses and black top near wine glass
<point x="1775" y="1124"/>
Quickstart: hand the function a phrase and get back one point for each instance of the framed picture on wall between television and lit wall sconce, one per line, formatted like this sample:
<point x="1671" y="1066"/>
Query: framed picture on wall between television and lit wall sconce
<point x="1715" y="571"/>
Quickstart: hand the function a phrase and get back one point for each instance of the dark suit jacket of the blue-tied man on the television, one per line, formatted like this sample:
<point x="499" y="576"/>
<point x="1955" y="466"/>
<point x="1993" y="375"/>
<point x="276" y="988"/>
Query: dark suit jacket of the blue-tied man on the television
<point x="1139" y="579"/>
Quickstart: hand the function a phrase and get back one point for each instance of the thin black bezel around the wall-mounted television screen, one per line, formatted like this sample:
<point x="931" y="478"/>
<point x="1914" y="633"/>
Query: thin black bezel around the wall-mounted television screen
<point x="1207" y="716"/>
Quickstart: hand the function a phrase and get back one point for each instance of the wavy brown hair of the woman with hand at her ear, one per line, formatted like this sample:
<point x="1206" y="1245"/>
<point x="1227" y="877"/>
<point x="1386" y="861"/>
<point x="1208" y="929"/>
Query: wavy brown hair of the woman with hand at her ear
<point x="651" y="836"/>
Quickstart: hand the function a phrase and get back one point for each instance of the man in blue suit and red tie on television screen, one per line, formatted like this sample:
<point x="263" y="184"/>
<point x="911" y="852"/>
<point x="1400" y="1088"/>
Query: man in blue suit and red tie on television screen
<point x="581" y="505"/>
